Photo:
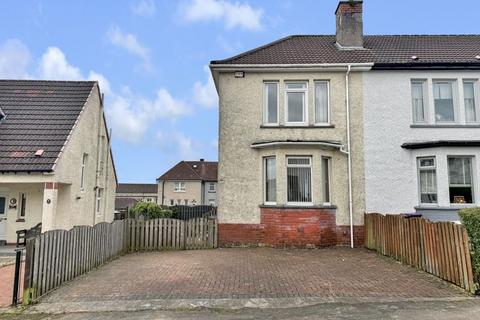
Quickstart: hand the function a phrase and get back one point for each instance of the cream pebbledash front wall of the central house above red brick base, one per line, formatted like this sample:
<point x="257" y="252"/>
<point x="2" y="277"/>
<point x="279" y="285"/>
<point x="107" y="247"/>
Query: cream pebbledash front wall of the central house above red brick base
<point x="240" y="181"/>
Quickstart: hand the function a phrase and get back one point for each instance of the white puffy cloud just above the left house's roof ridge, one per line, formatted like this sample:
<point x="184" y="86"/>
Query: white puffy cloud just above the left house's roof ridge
<point x="54" y="66"/>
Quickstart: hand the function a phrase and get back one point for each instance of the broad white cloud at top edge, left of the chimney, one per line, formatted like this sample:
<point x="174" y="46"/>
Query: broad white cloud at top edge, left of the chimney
<point x="233" y="14"/>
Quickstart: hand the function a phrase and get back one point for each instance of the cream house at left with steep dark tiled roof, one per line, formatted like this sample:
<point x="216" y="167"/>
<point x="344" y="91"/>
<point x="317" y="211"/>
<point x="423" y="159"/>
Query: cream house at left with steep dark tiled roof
<point x="56" y="165"/>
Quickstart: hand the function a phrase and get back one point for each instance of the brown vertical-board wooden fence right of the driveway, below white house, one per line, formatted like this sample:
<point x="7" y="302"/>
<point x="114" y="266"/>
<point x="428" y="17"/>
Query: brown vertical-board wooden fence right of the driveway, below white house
<point x="439" y="248"/>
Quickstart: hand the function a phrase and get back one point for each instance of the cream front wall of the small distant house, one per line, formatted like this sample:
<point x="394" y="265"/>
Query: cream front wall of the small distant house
<point x="193" y="191"/>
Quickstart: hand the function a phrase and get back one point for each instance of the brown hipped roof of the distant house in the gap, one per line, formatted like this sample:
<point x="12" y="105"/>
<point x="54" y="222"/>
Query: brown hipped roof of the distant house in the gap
<point x="192" y="170"/>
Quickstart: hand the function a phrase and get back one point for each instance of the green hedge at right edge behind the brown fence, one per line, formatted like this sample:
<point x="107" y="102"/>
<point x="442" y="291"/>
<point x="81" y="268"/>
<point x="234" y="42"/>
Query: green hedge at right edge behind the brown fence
<point x="471" y="221"/>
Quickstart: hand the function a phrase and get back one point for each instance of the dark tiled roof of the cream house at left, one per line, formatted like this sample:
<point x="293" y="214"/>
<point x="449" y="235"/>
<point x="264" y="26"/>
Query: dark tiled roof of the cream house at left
<point x="39" y="115"/>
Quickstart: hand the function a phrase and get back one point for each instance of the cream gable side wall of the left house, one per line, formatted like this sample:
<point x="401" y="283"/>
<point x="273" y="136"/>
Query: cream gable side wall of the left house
<point x="76" y="206"/>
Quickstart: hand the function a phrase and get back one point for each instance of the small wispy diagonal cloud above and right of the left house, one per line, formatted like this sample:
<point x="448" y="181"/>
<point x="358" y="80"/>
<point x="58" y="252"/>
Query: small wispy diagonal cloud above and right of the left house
<point x="129" y="42"/>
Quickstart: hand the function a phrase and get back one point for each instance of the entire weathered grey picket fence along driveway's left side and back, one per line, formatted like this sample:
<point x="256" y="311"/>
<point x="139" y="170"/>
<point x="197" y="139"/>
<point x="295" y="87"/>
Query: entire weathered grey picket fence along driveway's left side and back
<point x="58" y="256"/>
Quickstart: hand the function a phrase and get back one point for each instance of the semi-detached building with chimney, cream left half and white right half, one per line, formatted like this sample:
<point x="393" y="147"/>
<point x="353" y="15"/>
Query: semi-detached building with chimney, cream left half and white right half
<point x="317" y="129"/>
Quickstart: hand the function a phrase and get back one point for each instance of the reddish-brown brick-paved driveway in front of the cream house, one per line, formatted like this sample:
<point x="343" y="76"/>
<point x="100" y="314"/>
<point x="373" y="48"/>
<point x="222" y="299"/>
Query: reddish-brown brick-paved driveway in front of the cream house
<point x="252" y="273"/>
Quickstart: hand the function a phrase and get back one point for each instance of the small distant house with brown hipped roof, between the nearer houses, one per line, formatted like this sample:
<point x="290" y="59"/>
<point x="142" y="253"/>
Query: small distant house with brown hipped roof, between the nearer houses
<point x="189" y="183"/>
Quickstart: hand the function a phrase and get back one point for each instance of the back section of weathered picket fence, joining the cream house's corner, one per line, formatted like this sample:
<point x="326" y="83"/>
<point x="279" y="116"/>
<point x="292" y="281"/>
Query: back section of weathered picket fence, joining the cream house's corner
<point x="155" y="234"/>
